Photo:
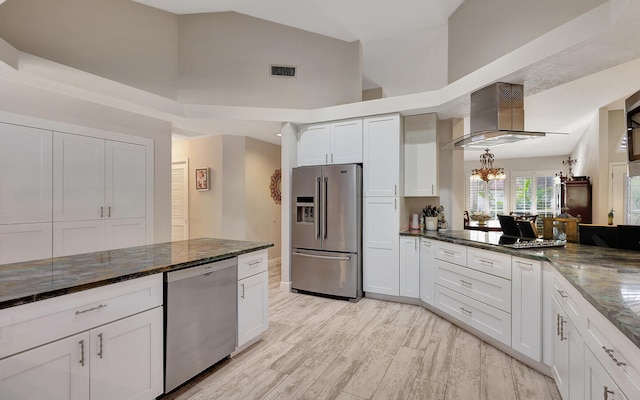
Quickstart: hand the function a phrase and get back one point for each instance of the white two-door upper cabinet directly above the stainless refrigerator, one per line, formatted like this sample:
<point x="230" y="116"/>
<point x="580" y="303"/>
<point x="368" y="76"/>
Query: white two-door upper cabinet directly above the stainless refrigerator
<point x="331" y="143"/>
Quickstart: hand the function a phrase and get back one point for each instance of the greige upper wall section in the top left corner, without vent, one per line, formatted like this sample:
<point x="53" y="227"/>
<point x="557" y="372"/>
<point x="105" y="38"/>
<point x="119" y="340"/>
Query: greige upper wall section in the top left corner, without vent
<point x="117" y="39"/>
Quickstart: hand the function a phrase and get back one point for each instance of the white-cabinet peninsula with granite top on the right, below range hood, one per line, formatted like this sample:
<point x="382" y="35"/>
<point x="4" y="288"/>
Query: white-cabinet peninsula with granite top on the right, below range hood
<point x="572" y="312"/>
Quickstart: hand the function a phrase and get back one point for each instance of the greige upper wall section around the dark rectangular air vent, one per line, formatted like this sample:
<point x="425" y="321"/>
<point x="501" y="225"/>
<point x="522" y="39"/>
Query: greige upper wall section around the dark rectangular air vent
<point x="224" y="58"/>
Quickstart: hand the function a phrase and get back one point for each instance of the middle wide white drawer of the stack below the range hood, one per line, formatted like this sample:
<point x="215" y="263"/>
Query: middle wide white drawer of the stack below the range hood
<point x="488" y="289"/>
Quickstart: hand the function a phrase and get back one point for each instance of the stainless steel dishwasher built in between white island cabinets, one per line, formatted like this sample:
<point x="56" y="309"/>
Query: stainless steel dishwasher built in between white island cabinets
<point x="200" y="319"/>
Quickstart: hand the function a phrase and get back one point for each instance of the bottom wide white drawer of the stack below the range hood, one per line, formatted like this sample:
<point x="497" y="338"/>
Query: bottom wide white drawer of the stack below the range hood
<point x="486" y="319"/>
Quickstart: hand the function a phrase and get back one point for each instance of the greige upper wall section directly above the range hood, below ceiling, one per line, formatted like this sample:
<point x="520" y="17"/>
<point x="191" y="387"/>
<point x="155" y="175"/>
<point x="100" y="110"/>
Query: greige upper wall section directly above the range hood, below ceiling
<point x="481" y="31"/>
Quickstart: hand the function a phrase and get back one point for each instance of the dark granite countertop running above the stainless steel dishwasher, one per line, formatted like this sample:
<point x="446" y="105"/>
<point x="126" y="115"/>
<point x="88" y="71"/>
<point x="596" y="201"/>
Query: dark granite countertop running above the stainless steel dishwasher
<point x="31" y="281"/>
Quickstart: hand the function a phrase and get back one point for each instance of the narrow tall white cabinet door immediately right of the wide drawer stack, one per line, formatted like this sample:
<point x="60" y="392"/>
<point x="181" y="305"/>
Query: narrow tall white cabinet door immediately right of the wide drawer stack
<point x="526" y="307"/>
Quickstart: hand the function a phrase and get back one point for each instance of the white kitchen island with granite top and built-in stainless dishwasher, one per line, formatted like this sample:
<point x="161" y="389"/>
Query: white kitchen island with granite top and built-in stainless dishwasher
<point x="91" y="326"/>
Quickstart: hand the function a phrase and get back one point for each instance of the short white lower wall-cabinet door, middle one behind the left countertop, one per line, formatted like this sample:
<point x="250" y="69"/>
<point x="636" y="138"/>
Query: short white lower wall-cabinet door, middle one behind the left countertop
<point x="77" y="237"/>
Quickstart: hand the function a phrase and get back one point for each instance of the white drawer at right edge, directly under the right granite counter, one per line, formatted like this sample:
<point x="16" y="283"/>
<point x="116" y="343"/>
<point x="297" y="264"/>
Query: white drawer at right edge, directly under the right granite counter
<point x="619" y="356"/>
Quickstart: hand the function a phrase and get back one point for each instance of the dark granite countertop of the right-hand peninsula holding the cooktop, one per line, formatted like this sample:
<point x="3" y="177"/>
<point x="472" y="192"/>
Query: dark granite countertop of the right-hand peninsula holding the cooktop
<point x="608" y="278"/>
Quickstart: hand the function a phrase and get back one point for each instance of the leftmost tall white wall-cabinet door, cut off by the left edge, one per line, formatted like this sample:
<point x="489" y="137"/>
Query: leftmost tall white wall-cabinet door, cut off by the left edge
<point x="25" y="174"/>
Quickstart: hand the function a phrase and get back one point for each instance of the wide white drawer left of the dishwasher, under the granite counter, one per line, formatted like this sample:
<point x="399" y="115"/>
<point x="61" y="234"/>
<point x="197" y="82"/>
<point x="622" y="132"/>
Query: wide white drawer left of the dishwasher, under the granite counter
<point x="34" y="324"/>
